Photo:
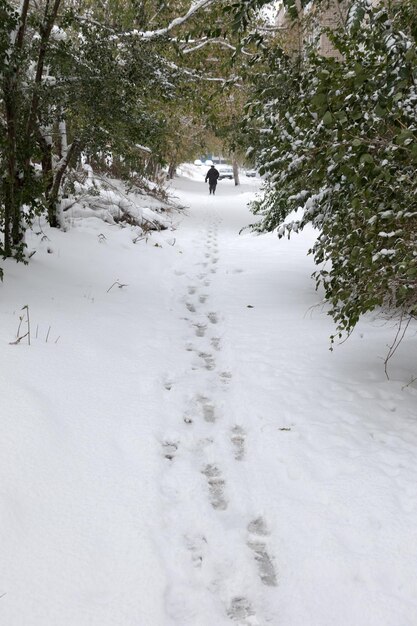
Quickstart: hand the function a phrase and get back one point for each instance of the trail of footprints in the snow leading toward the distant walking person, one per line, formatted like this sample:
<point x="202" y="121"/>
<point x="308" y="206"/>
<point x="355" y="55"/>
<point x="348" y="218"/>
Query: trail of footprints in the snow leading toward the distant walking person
<point x="210" y="444"/>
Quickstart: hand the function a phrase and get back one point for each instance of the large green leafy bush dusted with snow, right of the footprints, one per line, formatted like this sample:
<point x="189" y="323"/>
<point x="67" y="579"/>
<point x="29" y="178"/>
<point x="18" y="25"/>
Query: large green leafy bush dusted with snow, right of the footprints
<point x="337" y="141"/>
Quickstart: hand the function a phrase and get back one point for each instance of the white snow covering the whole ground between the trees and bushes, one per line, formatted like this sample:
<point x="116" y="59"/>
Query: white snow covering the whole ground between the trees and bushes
<point x="184" y="450"/>
